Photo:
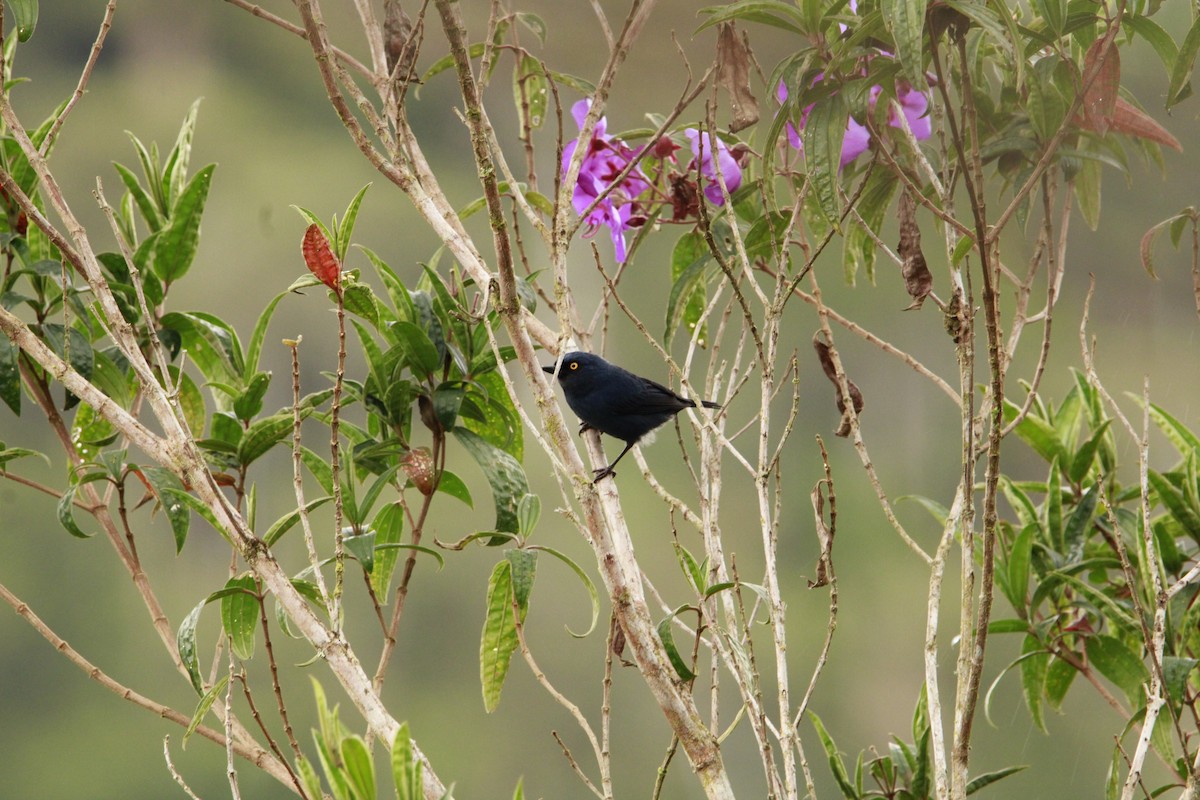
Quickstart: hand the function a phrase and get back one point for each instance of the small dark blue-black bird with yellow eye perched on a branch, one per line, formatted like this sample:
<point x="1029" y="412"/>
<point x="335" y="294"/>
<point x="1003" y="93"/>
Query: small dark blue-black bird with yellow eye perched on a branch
<point x="615" y="401"/>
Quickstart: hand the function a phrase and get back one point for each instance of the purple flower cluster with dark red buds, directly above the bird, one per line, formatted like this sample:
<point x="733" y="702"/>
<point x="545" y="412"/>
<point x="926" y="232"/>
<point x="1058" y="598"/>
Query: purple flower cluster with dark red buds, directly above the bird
<point x="625" y="204"/>
